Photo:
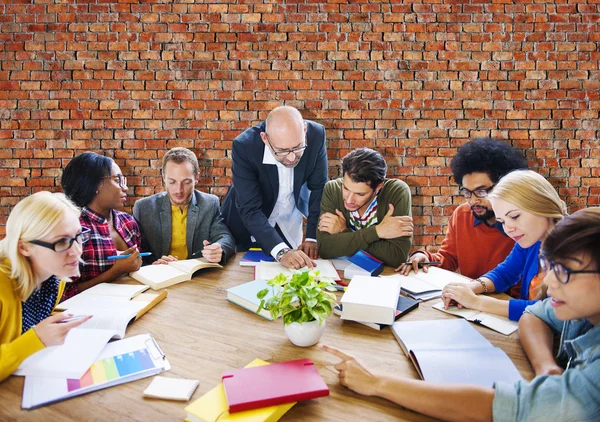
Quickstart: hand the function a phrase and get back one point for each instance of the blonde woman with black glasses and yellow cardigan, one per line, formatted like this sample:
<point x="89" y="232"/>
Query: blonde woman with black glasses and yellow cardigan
<point x="42" y="246"/>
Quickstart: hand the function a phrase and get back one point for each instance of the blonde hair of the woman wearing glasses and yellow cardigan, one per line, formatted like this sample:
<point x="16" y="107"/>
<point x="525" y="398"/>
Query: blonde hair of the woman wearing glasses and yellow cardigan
<point x="31" y="219"/>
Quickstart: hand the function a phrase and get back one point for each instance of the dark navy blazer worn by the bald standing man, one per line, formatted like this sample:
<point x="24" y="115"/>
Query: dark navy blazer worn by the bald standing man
<point x="253" y="194"/>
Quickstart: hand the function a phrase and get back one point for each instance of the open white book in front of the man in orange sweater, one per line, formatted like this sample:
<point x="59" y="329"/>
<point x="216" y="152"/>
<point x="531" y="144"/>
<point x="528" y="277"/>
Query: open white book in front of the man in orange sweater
<point x="428" y="285"/>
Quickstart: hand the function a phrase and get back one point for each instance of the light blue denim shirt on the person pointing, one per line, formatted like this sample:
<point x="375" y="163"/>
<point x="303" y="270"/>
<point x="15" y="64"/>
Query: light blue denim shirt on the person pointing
<point x="572" y="396"/>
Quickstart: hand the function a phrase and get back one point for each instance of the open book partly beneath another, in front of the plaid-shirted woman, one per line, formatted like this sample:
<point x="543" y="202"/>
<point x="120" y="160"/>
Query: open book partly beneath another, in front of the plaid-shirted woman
<point x="117" y="293"/>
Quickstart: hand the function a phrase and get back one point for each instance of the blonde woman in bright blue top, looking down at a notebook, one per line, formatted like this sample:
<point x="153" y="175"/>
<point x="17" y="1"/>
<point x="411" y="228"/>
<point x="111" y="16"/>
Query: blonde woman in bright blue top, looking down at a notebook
<point x="528" y="207"/>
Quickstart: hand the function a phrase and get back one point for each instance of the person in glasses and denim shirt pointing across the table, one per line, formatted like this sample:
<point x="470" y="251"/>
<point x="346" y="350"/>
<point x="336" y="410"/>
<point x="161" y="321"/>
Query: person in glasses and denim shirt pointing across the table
<point x="565" y="389"/>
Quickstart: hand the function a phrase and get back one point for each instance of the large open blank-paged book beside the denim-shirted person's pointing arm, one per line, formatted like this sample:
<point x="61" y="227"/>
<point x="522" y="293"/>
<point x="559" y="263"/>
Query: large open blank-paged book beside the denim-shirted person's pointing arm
<point x="452" y="351"/>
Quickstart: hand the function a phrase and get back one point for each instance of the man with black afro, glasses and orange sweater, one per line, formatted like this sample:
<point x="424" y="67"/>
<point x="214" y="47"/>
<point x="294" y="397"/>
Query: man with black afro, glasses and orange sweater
<point x="475" y="243"/>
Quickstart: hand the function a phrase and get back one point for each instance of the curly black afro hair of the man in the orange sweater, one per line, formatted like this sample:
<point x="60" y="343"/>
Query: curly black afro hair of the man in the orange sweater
<point x="486" y="155"/>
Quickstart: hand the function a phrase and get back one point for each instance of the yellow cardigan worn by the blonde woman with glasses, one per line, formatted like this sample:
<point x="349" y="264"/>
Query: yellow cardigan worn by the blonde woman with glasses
<point x="14" y="346"/>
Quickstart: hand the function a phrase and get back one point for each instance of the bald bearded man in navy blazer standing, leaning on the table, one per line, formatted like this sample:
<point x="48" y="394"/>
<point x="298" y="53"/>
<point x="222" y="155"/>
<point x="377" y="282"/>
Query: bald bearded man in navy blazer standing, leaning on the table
<point x="279" y="171"/>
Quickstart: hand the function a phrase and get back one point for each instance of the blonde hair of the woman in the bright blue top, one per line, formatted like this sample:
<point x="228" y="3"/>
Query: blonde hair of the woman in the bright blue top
<point x="530" y="192"/>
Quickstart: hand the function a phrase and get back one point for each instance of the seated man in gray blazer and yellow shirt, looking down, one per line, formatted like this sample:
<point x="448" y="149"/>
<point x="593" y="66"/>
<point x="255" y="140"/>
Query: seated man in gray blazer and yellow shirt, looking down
<point x="182" y="223"/>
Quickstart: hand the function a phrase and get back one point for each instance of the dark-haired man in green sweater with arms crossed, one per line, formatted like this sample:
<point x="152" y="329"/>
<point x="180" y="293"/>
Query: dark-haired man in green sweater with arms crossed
<point x="364" y="210"/>
